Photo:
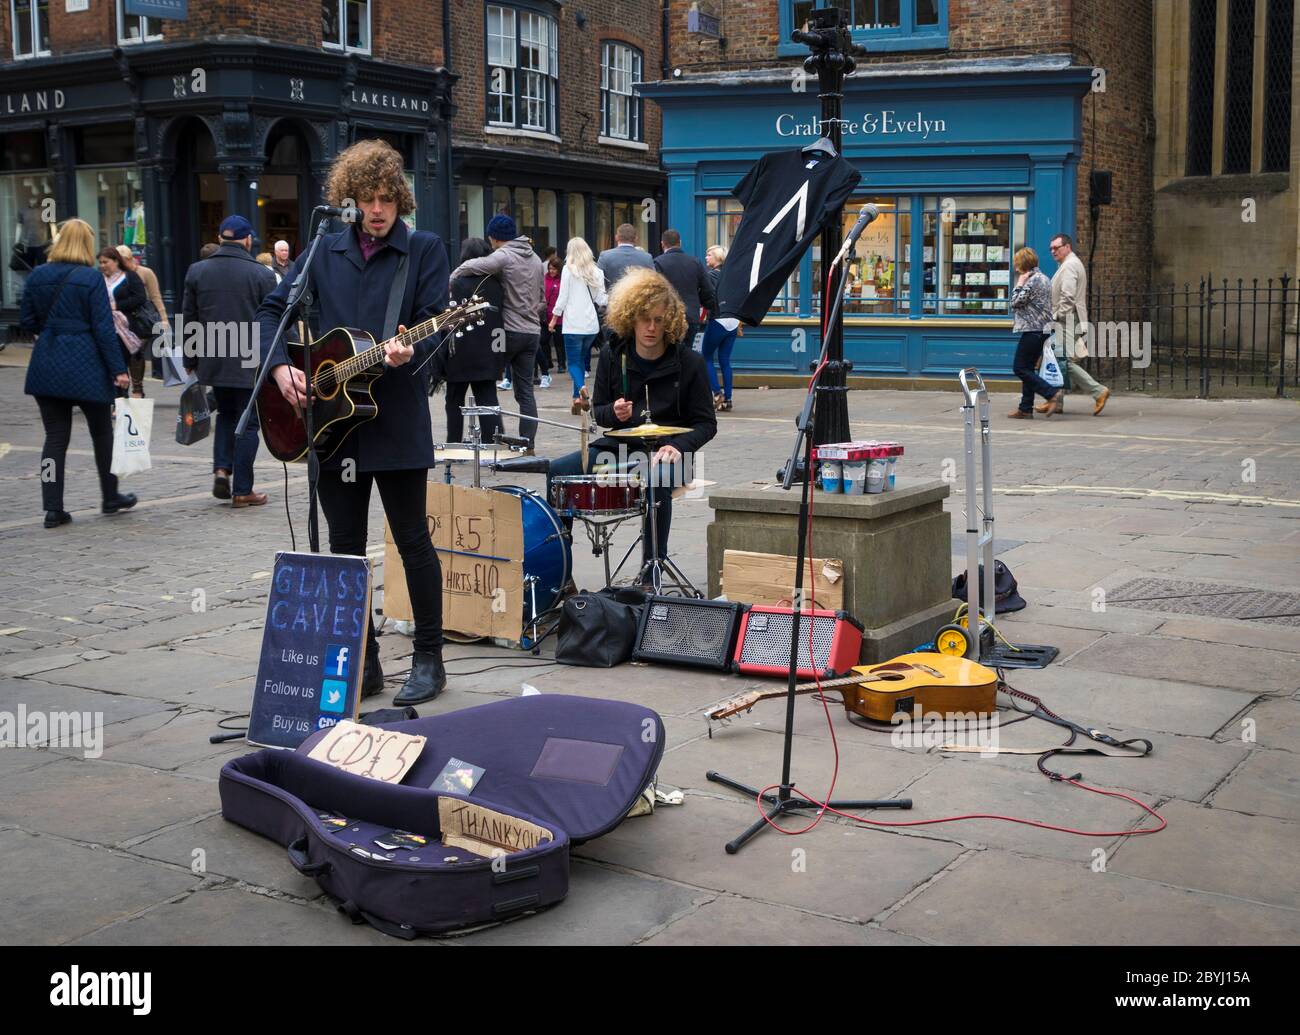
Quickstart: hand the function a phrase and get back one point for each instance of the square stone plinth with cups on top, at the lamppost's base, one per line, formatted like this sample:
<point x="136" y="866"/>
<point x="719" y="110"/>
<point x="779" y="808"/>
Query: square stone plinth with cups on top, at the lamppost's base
<point x="896" y="551"/>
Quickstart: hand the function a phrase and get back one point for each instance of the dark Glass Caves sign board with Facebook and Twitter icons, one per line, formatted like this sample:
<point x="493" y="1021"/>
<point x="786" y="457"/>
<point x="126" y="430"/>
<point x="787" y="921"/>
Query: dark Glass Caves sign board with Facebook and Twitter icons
<point x="313" y="648"/>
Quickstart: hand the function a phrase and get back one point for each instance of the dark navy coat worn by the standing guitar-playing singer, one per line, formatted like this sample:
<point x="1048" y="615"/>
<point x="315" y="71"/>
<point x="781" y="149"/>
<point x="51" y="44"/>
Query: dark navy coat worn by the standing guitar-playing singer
<point x="354" y="293"/>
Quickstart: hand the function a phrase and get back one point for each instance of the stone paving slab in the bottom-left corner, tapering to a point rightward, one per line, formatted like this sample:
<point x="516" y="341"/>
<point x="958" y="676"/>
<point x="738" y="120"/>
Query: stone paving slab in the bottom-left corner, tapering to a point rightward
<point x="80" y="889"/>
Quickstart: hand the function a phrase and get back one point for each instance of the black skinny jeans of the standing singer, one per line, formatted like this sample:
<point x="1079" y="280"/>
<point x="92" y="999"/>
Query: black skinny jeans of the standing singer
<point x="348" y="504"/>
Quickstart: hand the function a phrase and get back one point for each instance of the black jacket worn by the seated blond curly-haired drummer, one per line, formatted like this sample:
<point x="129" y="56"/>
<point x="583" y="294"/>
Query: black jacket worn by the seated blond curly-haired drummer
<point x="679" y="395"/>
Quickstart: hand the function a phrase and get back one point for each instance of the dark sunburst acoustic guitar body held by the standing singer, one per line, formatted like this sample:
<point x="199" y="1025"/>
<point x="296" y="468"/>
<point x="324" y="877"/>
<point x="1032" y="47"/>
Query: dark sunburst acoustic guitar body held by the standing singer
<point x="336" y="412"/>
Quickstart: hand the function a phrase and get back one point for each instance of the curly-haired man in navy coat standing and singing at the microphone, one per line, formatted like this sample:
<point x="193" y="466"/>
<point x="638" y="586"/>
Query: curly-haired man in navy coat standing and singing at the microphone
<point x="374" y="272"/>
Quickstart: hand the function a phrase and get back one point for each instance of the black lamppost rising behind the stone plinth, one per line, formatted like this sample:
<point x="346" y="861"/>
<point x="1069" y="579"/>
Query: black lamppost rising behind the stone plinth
<point x="833" y="57"/>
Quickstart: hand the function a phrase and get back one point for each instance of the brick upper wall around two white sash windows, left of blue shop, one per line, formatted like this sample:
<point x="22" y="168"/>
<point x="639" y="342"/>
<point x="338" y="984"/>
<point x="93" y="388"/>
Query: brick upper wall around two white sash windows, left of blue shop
<point x="579" y="88"/>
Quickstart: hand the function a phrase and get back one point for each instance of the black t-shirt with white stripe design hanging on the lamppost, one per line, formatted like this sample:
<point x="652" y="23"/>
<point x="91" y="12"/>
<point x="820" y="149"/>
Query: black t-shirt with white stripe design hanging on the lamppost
<point x="788" y="198"/>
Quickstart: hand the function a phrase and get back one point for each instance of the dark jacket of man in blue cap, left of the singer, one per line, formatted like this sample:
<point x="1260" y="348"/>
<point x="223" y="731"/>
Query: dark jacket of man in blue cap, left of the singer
<point x="223" y="295"/>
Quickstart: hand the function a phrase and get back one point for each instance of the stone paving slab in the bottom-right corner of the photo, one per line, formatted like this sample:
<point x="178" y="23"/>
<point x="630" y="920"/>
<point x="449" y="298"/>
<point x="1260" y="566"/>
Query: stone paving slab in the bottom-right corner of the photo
<point x="1004" y="899"/>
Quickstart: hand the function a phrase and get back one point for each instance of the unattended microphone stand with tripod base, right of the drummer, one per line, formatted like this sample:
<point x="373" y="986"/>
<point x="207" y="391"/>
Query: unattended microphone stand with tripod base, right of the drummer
<point x="785" y="802"/>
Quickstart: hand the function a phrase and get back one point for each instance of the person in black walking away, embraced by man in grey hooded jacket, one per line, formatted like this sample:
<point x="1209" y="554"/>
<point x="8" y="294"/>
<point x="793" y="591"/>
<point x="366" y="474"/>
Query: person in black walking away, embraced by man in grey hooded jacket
<point x="473" y="363"/>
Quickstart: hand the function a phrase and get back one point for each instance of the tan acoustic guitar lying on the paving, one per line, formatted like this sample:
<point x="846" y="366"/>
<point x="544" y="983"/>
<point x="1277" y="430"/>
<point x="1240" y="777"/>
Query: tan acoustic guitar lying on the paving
<point x="928" y="682"/>
